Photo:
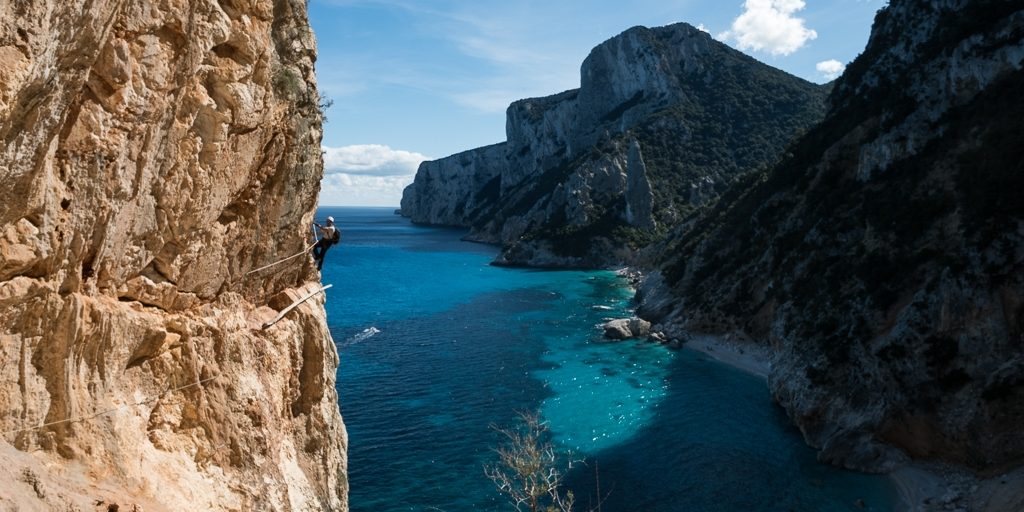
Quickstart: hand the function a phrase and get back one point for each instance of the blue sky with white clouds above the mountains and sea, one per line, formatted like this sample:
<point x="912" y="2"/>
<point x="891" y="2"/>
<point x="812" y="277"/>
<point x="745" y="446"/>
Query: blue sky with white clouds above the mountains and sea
<point x="415" y="80"/>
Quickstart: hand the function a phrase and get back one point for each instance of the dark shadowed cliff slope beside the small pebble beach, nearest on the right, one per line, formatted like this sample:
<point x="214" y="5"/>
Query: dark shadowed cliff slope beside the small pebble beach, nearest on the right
<point x="884" y="259"/>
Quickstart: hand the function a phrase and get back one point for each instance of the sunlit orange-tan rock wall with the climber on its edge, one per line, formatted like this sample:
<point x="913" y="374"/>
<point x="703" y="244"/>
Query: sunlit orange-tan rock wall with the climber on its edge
<point x="153" y="155"/>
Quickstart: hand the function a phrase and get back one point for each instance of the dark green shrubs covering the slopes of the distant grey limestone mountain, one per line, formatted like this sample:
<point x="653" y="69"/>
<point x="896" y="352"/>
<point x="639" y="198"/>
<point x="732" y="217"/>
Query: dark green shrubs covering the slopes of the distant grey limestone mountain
<point x="734" y="116"/>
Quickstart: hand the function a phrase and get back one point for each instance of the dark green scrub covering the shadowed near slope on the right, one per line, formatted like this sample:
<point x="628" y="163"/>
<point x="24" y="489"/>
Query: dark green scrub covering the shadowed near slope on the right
<point x="848" y="253"/>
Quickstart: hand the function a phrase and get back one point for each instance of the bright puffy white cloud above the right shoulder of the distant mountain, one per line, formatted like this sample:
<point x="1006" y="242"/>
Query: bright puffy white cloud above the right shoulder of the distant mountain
<point x="771" y="26"/>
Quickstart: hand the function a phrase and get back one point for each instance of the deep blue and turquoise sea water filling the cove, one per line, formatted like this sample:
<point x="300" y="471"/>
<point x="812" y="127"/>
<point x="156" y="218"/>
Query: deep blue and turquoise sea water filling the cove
<point x="437" y="347"/>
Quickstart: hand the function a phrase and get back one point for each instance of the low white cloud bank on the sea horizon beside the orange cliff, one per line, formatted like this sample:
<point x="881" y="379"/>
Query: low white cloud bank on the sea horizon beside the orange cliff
<point x="367" y="175"/>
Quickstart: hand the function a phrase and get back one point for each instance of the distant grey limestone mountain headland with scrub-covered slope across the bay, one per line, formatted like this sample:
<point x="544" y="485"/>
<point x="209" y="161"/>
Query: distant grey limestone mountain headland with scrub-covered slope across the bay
<point x="664" y="121"/>
